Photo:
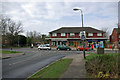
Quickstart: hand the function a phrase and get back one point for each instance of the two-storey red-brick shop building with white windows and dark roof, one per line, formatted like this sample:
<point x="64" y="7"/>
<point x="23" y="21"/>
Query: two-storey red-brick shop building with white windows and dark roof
<point x="70" y="36"/>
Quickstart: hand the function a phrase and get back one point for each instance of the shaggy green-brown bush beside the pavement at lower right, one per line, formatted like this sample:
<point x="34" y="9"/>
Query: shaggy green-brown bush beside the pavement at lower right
<point x="102" y="64"/>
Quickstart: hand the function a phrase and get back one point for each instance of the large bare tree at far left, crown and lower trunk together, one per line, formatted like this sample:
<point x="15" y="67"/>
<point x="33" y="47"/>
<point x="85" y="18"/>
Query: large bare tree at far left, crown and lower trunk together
<point x="10" y="29"/>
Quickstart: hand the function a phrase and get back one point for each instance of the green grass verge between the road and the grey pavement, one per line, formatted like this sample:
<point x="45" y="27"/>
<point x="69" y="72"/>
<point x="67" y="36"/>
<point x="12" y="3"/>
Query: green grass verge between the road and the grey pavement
<point x="54" y="70"/>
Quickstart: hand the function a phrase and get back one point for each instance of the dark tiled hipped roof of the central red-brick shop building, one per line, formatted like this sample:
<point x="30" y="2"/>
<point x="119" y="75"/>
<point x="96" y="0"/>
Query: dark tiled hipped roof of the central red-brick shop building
<point x="76" y="30"/>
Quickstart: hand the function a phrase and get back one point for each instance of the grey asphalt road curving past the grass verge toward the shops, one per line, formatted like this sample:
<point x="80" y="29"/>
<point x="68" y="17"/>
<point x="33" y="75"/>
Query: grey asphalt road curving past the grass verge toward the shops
<point x="25" y="65"/>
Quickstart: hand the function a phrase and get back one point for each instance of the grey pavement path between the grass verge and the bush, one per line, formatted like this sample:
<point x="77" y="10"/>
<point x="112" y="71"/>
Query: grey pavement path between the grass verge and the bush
<point x="76" y="69"/>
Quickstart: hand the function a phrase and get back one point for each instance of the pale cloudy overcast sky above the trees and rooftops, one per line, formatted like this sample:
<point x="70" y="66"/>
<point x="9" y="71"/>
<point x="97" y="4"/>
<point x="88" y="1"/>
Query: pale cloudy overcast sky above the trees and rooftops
<point x="44" y="17"/>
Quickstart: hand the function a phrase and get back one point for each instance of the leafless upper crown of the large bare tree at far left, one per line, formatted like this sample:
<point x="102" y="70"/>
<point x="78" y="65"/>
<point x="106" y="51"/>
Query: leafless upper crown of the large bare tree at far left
<point x="9" y="26"/>
